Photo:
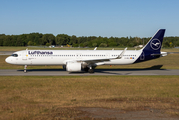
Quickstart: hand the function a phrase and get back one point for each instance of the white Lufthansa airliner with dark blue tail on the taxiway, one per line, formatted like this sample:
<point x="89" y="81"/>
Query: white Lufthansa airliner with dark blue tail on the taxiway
<point x="87" y="60"/>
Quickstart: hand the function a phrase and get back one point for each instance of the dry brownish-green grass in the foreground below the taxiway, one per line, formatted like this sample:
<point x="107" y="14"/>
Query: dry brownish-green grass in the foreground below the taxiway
<point x="29" y="97"/>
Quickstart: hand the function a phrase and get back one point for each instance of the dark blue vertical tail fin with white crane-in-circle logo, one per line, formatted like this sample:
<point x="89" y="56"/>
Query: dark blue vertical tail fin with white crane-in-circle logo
<point x="155" y="43"/>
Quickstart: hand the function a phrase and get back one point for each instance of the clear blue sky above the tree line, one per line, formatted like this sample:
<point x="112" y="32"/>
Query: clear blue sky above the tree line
<point x="106" y="18"/>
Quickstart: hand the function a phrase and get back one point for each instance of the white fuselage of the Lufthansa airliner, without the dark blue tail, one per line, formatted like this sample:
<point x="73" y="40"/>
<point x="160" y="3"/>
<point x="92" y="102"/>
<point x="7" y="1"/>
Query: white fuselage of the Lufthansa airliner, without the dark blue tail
<point x="60" y="57"/>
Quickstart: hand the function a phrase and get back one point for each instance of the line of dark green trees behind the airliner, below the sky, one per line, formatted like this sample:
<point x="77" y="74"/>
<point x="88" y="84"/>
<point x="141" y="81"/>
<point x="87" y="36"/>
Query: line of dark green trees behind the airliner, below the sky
<point x="36" y="39"/>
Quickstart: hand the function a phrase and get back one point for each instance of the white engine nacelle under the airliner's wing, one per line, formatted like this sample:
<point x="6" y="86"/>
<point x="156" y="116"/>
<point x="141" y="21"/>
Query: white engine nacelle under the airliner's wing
<point x="73" y="66"/>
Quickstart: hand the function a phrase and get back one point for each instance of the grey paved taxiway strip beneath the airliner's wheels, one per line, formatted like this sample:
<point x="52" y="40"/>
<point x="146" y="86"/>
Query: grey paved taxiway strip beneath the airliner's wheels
<point x="61" y="72"/>
